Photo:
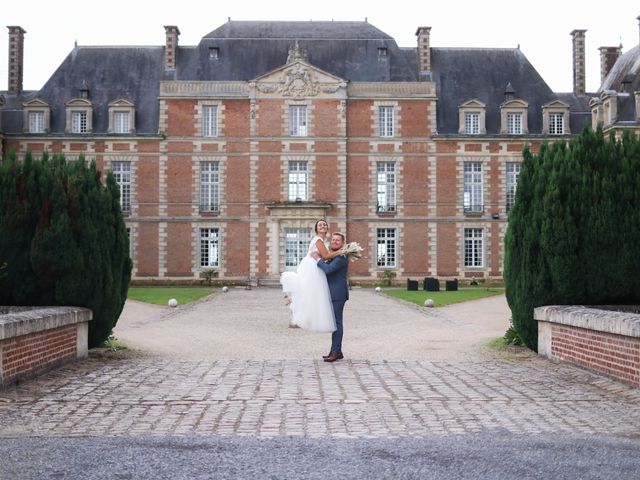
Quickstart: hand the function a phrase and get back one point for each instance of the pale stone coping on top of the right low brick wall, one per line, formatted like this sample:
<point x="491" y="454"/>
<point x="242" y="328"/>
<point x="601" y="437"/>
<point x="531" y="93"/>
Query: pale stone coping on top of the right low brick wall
<point x="591" y="318"/>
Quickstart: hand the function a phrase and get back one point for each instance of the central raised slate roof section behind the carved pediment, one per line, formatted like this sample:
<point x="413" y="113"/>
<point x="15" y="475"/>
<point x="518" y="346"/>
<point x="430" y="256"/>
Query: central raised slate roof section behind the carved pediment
<point x="249" y="49"/>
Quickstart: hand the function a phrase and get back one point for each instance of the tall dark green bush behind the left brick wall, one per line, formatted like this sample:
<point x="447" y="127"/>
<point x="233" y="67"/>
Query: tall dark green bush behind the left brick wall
<point x="63" y="237"/>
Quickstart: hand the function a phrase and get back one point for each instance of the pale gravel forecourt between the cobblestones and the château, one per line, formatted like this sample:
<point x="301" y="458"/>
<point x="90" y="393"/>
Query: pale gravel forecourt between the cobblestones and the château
<point x="254" y="324"/>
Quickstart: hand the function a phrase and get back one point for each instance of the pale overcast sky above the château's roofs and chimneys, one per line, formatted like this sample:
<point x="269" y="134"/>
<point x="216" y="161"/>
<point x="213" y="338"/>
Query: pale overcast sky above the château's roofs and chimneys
<point x="541" y="29"/>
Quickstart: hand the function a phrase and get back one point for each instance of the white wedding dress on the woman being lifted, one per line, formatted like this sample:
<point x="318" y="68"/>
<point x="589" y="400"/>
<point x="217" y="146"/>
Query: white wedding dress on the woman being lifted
<point x="309" y="293"/>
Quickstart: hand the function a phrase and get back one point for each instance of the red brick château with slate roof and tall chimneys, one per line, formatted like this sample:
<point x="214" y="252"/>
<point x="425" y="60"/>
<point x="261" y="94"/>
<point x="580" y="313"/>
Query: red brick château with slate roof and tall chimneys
<point x="227" y="152"/>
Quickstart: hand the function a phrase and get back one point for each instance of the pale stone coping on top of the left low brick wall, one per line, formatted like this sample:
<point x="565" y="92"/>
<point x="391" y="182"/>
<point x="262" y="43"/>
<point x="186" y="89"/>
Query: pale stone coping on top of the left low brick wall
<point x="18" y="321"/>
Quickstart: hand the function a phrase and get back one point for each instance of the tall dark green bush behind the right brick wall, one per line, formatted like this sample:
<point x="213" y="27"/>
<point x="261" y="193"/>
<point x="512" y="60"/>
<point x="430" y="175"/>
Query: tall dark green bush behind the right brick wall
<point x="573" y="232"/>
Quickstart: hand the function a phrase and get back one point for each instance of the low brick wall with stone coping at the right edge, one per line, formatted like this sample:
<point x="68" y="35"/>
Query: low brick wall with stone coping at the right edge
<point x="600" y="339"/>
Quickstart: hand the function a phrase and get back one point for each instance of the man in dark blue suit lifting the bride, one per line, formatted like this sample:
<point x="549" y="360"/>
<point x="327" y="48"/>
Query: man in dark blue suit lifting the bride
<point x="336" y="270"/>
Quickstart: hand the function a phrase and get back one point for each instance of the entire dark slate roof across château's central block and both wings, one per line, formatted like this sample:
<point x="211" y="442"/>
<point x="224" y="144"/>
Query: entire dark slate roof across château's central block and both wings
<point x="247" y="50"/>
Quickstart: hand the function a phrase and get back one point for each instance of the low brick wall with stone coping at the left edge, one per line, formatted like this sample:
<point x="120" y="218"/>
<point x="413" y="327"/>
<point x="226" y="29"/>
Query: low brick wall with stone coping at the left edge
<point x="33" y="339"/>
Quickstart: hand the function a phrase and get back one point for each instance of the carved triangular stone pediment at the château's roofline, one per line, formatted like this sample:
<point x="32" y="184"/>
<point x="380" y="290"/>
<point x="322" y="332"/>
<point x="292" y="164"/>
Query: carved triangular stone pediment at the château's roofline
<point x="297" y="80"/>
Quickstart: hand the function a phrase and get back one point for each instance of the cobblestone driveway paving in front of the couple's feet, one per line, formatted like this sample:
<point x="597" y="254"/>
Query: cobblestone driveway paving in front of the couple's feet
<point x="132" y="396"/>
